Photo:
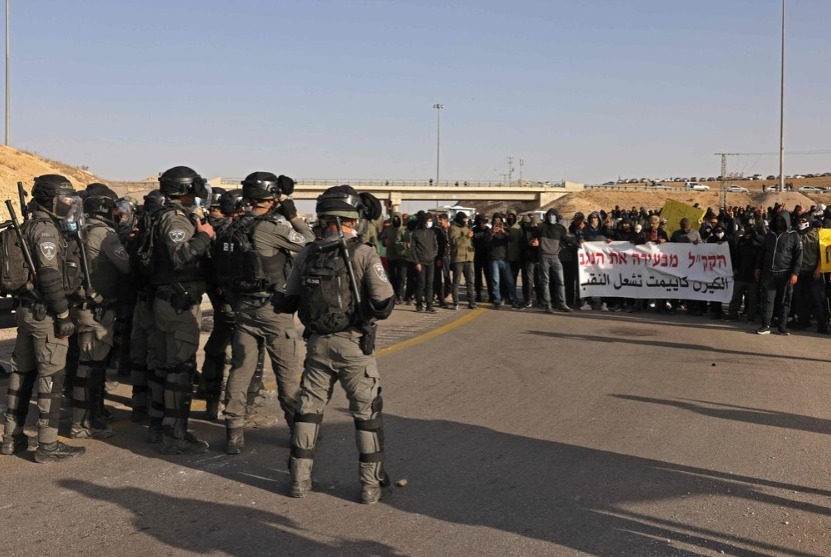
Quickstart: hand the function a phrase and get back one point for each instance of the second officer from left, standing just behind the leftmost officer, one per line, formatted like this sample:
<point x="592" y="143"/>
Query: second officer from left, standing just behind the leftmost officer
<point x="95" y="315"/>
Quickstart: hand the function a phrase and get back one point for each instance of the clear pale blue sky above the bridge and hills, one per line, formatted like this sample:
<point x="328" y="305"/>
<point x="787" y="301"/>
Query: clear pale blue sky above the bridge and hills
<point x="583" y="90"/>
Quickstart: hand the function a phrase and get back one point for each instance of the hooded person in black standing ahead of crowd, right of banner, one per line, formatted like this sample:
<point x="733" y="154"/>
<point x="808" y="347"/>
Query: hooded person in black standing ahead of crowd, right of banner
<point x="777" y="271"/>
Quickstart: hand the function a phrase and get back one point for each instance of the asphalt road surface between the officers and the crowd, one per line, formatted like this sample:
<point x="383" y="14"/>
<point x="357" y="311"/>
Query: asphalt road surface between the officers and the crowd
<point x="518" y="433"/>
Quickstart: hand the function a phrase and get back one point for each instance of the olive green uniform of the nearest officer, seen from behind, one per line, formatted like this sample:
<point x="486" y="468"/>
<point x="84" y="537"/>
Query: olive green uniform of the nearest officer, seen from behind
<point x="338" y="357"/>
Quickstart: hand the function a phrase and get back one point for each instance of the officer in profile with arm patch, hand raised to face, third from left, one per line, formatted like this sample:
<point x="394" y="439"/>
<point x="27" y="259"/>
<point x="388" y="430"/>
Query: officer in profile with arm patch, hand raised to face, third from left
<point x="182" y="241"/>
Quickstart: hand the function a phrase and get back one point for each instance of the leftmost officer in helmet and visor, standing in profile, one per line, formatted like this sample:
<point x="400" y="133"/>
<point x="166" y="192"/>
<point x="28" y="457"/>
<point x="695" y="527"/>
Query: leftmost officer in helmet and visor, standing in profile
<point x="43" y="327"/>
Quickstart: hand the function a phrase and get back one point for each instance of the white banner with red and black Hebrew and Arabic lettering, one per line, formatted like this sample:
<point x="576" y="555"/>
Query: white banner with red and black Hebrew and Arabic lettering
<point x="661" y="271"/>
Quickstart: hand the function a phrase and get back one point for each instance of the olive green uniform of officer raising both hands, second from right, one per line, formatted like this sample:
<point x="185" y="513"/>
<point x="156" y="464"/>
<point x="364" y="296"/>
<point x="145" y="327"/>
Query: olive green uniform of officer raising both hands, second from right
<point x="276" y="241"/>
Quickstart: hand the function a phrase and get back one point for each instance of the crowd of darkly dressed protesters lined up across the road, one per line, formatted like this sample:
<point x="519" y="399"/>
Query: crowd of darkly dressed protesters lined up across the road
<point x="775" y="255"/>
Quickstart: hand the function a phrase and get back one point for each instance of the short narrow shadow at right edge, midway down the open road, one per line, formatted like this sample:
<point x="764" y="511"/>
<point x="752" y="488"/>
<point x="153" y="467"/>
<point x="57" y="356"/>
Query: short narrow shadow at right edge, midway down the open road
<point x="756" y="416"/>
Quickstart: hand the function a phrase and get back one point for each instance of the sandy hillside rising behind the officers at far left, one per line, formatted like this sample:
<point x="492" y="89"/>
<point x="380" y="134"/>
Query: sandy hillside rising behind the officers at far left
<point x="20" y="166"/>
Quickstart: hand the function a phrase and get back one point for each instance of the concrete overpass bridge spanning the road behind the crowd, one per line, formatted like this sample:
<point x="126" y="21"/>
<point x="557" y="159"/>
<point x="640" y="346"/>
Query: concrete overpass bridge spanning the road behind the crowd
<point x="393" y="192"/>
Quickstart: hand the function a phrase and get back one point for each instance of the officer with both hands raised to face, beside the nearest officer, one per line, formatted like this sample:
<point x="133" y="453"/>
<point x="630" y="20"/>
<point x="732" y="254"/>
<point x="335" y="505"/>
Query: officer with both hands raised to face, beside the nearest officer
<point x="276" y="234"/>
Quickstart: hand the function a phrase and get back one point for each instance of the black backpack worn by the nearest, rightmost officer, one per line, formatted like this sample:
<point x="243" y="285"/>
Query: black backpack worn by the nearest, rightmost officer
<point x="326" y="301"/>
